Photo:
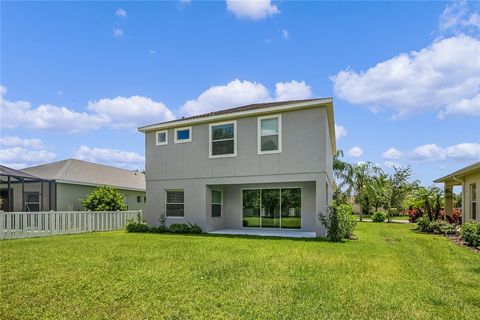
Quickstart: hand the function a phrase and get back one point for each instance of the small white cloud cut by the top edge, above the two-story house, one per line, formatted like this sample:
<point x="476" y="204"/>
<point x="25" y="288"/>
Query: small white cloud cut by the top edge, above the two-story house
<point x="252" y="9"/>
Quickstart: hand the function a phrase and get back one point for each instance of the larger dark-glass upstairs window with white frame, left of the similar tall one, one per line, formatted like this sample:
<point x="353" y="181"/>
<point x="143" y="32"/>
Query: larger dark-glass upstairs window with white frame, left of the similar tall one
<point x="223" y="139"/>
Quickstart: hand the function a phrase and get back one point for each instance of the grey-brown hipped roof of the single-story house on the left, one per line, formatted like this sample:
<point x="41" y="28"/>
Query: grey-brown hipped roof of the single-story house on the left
<point x="76" y="171"/>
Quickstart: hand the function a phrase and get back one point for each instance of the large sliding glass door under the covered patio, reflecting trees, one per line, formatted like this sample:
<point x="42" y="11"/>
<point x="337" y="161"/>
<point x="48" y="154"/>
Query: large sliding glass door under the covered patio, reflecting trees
<point x="272" y="208"/>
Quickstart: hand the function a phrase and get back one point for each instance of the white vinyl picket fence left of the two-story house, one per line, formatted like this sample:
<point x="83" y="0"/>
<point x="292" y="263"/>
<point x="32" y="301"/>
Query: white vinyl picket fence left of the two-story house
<point x="40" y="224"/>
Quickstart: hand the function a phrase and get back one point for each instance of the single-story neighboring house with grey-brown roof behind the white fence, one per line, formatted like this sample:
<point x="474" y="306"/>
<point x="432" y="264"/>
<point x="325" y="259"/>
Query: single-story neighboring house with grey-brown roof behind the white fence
<point x="68" y="181"/>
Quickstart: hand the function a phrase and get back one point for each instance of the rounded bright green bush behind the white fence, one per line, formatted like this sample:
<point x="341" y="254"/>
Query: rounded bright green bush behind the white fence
<point x="105" y="198"/>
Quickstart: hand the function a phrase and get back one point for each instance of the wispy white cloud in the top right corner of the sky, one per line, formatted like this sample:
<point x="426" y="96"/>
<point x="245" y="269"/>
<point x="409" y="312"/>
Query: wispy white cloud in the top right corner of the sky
<point x="458" y="18"/>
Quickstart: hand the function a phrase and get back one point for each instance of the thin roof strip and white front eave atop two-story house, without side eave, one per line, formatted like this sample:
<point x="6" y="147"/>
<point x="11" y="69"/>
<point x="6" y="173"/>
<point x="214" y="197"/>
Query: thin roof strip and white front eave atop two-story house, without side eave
<point x="250" y="107"/>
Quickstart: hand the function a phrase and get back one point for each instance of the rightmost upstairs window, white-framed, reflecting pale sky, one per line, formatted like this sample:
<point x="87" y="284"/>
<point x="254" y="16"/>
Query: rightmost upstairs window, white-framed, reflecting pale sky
<point x="270" y="134"/>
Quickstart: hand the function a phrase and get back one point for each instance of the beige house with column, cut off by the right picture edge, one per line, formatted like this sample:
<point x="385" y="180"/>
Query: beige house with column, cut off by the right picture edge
<point x="469" y="179"/>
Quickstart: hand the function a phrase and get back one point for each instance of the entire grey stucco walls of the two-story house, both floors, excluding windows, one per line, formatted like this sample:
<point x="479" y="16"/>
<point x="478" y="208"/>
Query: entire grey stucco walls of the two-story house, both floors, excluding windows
<point x="305" y="160"/>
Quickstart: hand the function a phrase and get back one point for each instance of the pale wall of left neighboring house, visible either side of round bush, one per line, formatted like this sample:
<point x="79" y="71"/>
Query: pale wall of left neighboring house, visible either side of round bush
<point x="69" y="196"/>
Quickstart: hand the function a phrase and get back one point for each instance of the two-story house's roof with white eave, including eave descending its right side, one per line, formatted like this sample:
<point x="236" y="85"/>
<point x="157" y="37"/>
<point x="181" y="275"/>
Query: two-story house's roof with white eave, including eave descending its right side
<point x="251" y="110"/>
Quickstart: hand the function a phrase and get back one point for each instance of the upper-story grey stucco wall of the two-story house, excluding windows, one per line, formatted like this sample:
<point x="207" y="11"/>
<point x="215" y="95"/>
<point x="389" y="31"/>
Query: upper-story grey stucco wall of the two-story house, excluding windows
<point x="303" y="150"/>
